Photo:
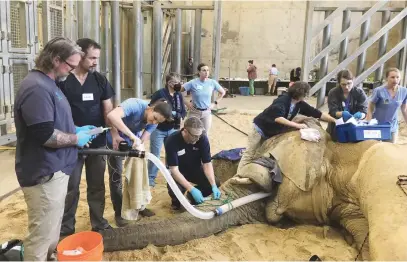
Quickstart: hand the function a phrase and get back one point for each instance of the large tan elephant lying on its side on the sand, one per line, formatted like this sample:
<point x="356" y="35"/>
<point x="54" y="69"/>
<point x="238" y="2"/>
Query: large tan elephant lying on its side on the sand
<point x="348" y="185"/>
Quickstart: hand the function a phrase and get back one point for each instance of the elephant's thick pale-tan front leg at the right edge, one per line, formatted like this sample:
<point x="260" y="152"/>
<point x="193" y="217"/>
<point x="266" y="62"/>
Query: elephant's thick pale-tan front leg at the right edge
<point x="383" y="202"/>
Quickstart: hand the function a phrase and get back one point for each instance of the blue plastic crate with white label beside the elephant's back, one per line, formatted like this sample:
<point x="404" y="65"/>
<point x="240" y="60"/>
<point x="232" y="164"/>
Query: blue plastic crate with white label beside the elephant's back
<point x="351" y="133"/>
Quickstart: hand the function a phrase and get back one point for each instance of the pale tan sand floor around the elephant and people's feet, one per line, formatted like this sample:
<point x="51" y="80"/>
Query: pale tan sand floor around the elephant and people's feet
<point x="249" y="242"/>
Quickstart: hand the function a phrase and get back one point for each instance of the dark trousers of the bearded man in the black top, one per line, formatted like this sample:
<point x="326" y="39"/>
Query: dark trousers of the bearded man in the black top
<point x="95" y="172"/>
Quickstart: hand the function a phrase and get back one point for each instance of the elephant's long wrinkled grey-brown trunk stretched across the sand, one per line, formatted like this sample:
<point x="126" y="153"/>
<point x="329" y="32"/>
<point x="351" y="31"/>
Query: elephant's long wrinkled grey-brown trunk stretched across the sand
<point x="172" y="231"/>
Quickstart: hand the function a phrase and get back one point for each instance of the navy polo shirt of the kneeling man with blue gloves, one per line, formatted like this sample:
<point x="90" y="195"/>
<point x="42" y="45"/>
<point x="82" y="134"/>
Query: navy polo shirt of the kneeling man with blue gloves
<point x="188" y="157"/>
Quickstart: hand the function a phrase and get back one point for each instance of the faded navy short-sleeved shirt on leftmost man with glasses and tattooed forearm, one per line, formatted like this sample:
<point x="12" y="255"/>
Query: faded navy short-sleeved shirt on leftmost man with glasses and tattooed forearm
<point x="37" y="101"/>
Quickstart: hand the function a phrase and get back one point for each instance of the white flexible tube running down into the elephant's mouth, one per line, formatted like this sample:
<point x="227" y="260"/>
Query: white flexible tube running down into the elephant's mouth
<point x="191" y="209"/>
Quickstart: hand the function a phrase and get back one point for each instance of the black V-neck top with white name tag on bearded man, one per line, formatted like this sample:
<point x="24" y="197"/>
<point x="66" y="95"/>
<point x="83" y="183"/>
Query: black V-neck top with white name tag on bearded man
<point x="86" y="101"/>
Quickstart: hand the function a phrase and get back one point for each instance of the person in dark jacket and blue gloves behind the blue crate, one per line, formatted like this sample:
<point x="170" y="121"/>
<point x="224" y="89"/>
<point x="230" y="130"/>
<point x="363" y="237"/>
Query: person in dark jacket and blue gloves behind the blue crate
<point x="345" y="101"/>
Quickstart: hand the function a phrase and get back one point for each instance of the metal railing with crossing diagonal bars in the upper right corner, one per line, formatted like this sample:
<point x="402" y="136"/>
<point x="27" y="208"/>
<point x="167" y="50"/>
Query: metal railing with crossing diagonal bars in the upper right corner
<point x="342" y="41"/>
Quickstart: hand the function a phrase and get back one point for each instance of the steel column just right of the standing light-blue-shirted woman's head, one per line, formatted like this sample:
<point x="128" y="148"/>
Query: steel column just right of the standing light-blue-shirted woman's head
<point x="217" y="34"/>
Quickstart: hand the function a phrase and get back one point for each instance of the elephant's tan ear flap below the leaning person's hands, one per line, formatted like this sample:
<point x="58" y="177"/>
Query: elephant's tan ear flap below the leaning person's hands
<point x="300" y="161"/>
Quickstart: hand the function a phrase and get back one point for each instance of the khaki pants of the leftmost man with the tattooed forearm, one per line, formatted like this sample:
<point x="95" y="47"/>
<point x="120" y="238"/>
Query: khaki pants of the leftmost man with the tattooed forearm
<point x="45" y="208"/>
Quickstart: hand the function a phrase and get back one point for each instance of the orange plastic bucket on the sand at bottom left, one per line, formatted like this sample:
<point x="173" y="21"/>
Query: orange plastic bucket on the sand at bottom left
<point x="89" y="243"/>
